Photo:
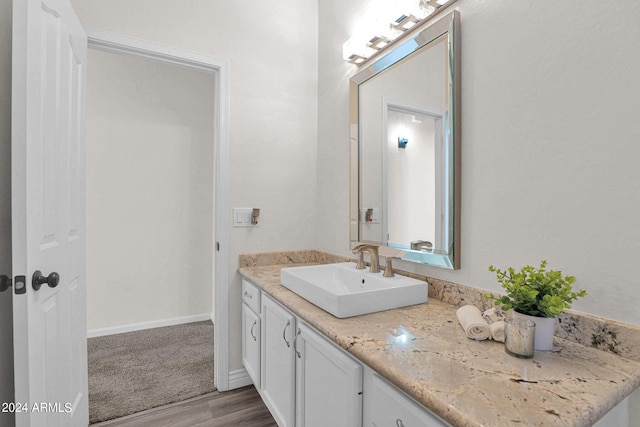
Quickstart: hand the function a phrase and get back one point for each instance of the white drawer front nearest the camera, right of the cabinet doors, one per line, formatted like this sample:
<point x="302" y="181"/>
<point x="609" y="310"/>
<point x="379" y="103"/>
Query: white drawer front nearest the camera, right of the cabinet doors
<point x="385" y="405"/>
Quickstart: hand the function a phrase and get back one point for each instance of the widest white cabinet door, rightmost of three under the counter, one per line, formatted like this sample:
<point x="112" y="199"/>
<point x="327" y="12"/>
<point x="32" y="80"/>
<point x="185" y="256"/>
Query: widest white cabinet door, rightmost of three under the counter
<point x="328" y="383"/>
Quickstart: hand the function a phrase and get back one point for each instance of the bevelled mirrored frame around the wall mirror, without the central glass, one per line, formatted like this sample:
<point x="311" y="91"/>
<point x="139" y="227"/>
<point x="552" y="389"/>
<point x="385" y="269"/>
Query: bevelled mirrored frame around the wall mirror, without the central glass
<point x="448" y="26"/>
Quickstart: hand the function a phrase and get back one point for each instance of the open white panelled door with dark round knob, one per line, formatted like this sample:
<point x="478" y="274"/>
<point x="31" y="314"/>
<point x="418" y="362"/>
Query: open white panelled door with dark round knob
<point x="49" y="57"/>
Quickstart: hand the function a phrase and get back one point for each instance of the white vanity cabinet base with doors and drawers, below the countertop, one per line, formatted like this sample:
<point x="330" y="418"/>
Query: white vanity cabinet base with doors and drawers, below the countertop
<point x="301" y="374"/>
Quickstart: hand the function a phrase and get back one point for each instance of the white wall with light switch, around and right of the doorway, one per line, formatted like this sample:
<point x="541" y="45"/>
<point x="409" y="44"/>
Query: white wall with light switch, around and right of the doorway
<point x="272" y="48"/>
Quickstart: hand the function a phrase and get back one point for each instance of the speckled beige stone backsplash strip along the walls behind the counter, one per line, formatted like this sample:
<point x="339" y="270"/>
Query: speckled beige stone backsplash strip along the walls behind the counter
<point x="607" y="335"/>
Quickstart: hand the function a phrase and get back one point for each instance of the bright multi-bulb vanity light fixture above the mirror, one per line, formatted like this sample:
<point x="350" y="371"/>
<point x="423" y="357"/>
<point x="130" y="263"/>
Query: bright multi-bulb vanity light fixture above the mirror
<point x="359" y="48"/>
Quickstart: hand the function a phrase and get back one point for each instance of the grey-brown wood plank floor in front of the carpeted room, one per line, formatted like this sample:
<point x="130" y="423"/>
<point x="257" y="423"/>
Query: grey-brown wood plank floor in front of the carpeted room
<point x="240" y="407"/>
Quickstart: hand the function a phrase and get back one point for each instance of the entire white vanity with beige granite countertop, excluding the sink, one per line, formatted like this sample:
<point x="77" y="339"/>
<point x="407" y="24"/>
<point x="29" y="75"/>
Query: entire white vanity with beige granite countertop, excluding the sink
<point x="412" y="366"/>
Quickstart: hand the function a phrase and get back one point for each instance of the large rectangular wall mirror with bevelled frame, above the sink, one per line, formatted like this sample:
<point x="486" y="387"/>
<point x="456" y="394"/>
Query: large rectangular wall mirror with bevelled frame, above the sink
<point x="405" y="147"/>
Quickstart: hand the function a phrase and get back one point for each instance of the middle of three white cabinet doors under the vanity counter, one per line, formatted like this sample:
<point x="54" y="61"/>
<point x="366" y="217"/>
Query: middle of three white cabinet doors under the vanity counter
<point x="278" y="364"/>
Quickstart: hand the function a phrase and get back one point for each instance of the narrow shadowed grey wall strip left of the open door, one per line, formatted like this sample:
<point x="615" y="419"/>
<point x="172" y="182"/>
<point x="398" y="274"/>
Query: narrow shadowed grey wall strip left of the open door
<point x="6" y="313"/>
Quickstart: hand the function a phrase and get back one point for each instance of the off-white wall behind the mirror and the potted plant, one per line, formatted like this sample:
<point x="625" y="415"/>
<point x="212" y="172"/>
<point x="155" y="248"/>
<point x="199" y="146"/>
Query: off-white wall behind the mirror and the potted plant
<point x="549" y="143"/>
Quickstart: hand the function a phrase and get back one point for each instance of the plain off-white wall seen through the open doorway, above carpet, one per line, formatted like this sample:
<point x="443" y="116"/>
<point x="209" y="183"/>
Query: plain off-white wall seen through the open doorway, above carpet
<point x="149" y="191"/>
